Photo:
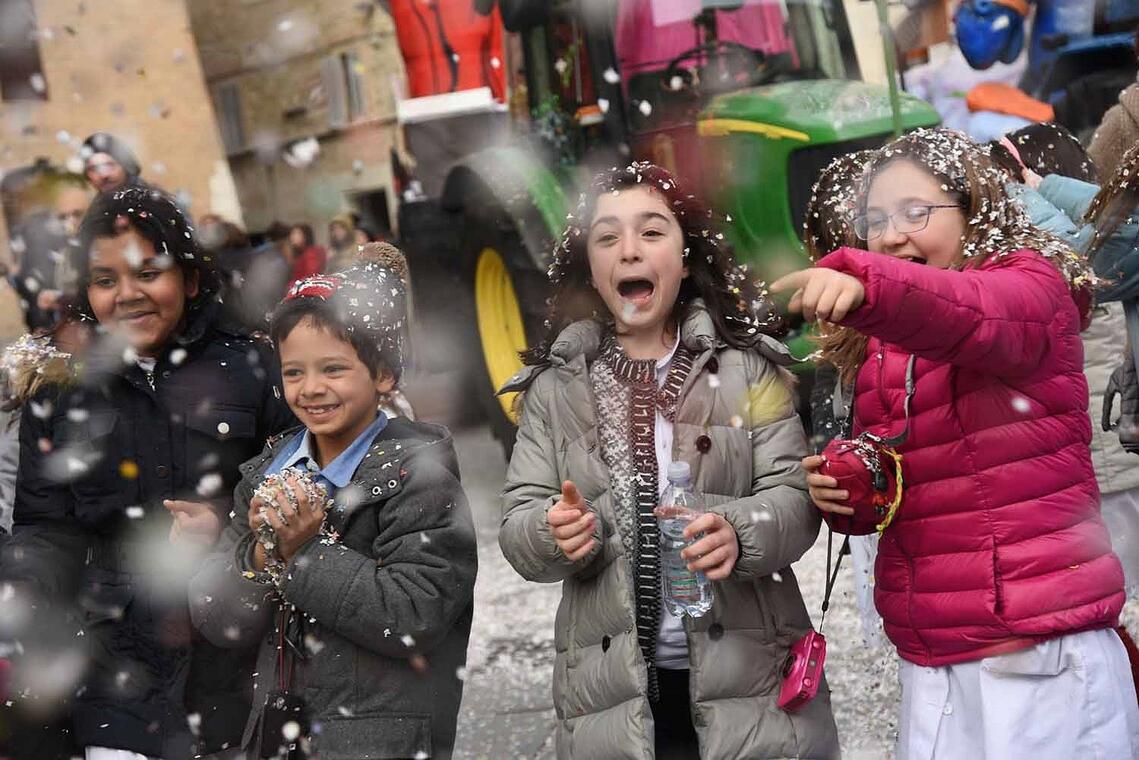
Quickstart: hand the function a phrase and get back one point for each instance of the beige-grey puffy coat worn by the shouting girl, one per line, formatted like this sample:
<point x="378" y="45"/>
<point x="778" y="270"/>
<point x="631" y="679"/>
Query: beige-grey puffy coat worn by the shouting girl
<point x="748" y="467"/>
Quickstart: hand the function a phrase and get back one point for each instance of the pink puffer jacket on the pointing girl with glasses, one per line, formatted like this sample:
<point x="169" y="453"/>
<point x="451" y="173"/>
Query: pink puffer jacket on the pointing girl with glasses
<point x="998" y="543"/>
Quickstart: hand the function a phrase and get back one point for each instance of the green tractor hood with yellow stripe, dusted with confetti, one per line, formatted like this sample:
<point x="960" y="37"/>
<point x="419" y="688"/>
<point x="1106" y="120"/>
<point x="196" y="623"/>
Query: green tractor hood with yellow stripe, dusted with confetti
<point x="814" y="111"/>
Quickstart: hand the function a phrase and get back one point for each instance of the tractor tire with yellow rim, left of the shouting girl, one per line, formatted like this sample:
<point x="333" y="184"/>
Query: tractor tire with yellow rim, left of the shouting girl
<point x="510" y="293"/>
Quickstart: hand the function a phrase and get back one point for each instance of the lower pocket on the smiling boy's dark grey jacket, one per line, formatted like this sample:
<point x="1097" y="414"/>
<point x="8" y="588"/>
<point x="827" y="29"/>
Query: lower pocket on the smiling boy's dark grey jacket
<point x="374" y="736"/>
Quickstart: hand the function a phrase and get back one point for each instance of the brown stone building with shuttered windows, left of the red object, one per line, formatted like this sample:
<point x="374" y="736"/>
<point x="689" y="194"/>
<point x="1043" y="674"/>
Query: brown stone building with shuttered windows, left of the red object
<point x="281" y="55"/>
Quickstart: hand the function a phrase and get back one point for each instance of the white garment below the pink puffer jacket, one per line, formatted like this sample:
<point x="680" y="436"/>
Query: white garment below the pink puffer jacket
<point x="1068" y="699"/>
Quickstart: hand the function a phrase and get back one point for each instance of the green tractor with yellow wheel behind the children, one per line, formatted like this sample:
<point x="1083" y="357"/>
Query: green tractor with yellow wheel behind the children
<point x="744" y="102"/>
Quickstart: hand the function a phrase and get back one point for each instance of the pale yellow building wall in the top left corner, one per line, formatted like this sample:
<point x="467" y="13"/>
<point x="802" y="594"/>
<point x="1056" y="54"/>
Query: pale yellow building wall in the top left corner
<point x="129" y="68"/>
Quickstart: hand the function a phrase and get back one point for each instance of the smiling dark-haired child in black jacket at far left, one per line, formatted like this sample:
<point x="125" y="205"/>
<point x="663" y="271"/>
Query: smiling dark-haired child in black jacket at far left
<point x="128" y="469"/>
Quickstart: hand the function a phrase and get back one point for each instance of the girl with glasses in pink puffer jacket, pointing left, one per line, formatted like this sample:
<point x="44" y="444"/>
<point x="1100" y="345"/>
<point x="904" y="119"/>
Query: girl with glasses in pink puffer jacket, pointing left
<point x="996" y="581"/>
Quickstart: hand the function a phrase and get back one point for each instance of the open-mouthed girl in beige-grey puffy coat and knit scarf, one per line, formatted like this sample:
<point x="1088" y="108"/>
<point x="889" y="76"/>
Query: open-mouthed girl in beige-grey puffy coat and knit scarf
<point x="654" y="354"/>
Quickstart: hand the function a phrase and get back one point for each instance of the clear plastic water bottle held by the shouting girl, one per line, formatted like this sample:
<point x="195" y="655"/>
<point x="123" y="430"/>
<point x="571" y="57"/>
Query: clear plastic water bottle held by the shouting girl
<point x="684" y="592"/>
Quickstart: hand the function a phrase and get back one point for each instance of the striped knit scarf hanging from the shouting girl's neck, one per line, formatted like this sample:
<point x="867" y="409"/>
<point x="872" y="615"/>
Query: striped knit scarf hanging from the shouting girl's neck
<point x="628" y="398"/>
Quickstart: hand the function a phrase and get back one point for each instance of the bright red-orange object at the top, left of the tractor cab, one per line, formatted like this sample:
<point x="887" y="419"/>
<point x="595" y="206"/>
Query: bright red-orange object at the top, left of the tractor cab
<point x="448" y="47"/>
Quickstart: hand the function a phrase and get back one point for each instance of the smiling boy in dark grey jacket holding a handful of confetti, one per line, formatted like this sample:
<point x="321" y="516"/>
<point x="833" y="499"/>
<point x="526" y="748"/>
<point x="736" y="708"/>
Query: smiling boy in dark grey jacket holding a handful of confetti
<point x="363" y="606"/>
